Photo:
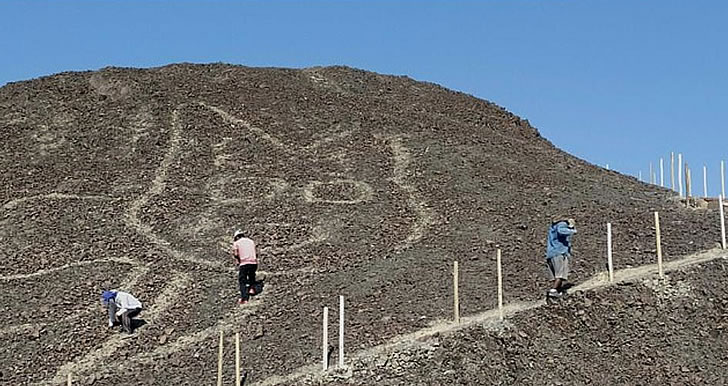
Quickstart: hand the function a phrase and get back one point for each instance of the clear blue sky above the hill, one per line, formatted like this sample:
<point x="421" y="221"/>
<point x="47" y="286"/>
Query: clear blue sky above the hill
<point x="617" y="82"/>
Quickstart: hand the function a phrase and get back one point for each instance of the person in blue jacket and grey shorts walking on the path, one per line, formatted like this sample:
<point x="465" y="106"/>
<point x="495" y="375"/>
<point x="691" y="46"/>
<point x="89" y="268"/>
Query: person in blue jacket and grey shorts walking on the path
<point x="558" y="253"/>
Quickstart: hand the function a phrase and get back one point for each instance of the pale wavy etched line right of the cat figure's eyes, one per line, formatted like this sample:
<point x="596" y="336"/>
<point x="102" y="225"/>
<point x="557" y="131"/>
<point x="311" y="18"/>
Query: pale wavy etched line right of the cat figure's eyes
<point x="424" y="214"/>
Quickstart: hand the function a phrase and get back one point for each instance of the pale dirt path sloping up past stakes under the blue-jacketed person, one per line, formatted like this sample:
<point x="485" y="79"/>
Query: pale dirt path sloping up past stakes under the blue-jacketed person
<point x="313" y="371"/>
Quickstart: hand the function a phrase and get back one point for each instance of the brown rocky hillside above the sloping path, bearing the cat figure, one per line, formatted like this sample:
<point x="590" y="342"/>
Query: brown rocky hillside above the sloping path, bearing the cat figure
<point x="352" y="183"/>
